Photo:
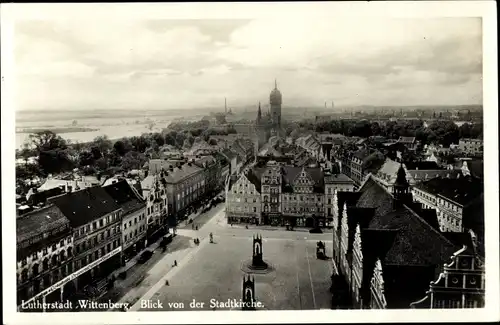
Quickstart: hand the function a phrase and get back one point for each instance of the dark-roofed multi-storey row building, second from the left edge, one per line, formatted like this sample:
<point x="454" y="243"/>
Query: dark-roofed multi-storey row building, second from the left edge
<point x="95" y="219"/>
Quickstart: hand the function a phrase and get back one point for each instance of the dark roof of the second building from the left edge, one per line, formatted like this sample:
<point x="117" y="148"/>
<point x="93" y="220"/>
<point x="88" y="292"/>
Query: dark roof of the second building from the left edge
<point x="82" y="207"/>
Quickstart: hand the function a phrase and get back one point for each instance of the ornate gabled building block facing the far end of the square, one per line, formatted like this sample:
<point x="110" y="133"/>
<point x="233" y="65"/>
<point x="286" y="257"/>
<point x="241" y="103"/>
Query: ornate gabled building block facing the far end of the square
<point x="293" y="196"/>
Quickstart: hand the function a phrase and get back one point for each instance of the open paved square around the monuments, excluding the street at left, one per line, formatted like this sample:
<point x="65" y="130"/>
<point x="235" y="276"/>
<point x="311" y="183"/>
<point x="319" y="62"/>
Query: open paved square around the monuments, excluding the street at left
<point x="297" y="281"/>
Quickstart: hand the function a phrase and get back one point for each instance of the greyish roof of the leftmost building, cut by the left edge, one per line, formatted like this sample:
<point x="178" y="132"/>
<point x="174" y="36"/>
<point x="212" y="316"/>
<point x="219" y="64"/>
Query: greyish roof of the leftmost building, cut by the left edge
<point x="39" y="221"/>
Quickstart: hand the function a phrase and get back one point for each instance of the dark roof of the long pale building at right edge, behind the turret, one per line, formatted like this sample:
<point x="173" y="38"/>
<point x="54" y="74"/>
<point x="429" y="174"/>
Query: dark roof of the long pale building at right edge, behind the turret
<point x="462" y="190"/>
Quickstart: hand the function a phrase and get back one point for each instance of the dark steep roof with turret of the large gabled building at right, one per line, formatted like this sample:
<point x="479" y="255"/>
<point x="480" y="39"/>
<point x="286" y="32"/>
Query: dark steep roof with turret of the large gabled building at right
<point x="410" y="249"/>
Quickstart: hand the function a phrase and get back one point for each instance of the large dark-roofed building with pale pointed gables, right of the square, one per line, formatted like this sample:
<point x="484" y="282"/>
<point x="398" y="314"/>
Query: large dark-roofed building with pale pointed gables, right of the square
<point x="386" y="251"/>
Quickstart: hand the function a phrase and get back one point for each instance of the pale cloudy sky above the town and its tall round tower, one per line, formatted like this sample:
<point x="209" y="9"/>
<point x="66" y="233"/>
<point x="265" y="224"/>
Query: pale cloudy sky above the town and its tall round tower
<point x="172" y="64"/>
